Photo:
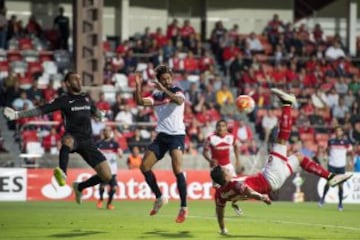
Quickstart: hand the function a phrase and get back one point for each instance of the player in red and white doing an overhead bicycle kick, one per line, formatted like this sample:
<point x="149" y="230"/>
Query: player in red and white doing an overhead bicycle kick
<point x="277" y="168"/>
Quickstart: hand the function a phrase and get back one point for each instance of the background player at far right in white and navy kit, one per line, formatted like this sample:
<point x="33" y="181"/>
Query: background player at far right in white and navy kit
<point x="338" y="148"/>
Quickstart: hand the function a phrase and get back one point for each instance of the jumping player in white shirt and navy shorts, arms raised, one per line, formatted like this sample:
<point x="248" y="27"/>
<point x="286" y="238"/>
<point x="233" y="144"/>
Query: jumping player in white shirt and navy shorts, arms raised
<point x="168" y="102"/>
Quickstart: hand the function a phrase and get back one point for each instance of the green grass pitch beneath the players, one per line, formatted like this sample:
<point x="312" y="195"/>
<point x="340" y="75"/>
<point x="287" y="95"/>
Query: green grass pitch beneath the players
<point x="130" y="220"/>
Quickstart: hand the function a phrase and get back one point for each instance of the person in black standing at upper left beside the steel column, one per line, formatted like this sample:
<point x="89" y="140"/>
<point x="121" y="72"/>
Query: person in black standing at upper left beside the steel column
<point x="61" y="23"/>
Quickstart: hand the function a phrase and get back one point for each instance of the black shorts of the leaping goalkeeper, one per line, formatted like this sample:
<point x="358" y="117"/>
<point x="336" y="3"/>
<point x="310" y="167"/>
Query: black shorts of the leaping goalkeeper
<point x="88" y="151"/>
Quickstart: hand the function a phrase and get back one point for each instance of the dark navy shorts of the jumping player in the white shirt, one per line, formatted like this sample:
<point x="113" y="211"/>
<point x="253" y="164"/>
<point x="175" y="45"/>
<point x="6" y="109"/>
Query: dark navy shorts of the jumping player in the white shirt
<point x="165" y="142"/>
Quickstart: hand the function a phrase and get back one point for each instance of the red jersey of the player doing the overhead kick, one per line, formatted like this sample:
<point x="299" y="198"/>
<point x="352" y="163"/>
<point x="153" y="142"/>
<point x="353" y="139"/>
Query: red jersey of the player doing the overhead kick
<point x="236" y="189"/>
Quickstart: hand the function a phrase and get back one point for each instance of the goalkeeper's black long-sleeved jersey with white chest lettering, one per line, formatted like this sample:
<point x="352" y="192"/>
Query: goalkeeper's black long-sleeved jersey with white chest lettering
<point x="76" y="111"/>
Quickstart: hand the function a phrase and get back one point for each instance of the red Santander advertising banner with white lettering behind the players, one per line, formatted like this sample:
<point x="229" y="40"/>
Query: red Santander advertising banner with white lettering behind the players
<point x="41" y="185"/>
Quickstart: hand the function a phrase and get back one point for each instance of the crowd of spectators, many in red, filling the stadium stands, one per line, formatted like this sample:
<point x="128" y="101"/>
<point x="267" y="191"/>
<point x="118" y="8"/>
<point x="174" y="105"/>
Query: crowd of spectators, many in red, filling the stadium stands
<point x="212" y="73"/>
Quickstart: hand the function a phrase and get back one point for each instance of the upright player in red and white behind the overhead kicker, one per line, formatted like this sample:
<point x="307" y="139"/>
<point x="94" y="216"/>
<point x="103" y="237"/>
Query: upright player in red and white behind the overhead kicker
<point x="216" y="151"/>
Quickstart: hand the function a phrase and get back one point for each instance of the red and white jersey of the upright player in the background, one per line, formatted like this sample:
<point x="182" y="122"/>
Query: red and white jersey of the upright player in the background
<point x="220" y="147"/>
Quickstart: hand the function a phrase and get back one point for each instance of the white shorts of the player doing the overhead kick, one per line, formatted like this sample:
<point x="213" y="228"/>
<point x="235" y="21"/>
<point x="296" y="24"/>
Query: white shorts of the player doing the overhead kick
<point x="279" y="167"/>
